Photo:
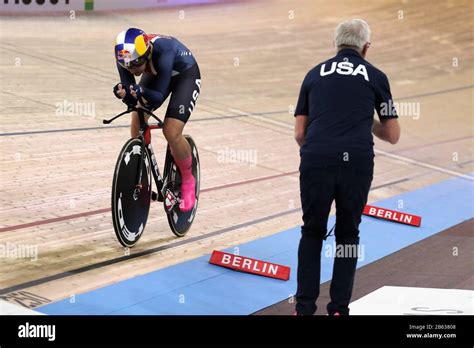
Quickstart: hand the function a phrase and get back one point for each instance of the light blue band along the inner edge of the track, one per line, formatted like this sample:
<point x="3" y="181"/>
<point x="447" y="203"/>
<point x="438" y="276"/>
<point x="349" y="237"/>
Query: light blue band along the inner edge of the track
<point x="196" y="287"/>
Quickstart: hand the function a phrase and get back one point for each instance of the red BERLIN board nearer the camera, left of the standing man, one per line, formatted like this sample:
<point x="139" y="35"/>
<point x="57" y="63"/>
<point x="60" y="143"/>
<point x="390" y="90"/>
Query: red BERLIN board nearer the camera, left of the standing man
<point x="249" y="265"/>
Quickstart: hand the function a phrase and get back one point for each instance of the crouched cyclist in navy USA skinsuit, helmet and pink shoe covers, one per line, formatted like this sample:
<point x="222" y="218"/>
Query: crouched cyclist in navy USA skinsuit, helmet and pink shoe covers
<point x="166" y="67"/>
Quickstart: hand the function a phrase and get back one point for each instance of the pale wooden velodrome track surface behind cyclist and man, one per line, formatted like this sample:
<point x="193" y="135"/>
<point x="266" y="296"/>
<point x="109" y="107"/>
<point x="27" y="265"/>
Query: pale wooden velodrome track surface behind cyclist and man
<point x="56" y="170"/>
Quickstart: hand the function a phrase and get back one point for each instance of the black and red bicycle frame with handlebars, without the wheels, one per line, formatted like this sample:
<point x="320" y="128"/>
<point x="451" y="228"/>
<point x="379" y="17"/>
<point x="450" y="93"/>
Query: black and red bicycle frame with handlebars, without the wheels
<point x="145" y="136"/>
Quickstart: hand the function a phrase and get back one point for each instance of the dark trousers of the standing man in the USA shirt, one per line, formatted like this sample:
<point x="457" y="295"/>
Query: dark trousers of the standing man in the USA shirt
<point x="349" y="186"/>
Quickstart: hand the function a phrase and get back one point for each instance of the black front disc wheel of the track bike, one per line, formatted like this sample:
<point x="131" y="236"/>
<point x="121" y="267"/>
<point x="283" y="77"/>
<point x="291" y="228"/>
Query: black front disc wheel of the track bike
<point x="131" y="202"/>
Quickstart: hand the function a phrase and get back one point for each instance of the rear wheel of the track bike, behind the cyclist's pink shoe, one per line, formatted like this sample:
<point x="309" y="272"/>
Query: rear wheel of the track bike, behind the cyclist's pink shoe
<point x="180" y="222"/>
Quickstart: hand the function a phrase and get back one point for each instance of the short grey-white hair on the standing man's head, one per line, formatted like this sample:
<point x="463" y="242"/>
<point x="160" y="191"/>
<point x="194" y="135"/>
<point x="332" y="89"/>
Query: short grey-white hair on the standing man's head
<point x="355" y="33"/>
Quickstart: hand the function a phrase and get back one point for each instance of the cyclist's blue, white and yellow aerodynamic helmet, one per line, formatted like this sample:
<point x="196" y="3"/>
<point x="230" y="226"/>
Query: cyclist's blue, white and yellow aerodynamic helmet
<point x="132" y="47"/>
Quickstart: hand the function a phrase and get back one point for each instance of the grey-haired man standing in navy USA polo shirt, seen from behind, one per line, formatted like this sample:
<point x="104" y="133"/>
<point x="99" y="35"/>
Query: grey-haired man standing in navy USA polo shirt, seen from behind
<point x="334" y="124"/>
